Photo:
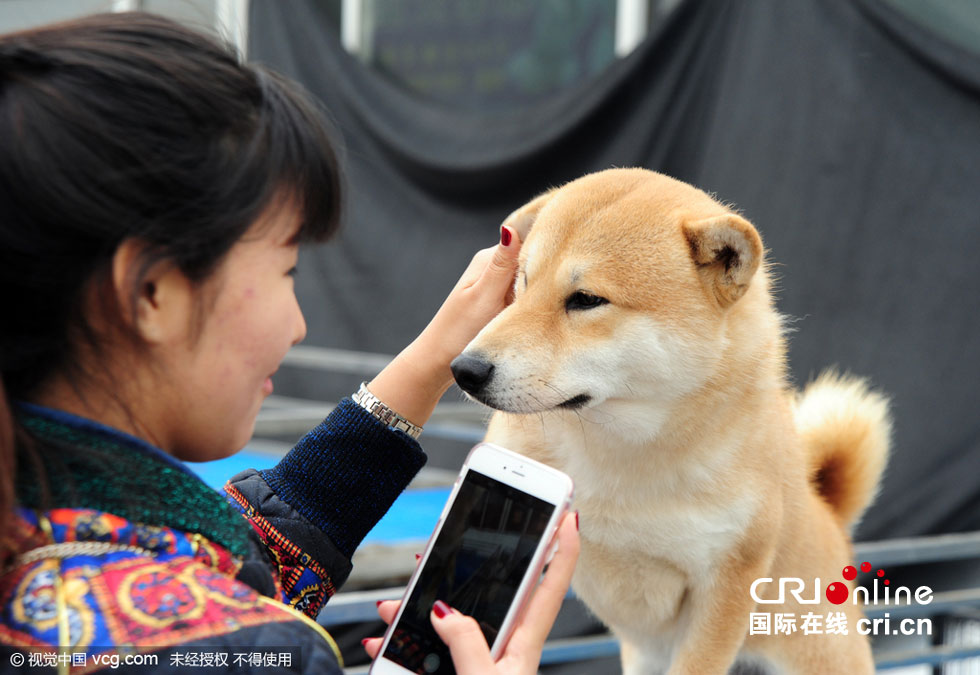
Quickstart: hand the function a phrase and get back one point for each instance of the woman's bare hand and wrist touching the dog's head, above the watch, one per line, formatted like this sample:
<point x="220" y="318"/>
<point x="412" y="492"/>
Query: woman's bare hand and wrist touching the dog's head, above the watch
<point x="417" y="378"/>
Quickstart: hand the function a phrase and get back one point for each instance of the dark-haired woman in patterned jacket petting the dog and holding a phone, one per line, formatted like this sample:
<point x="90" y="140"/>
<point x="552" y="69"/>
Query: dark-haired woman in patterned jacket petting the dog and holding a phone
<point x="153" y="195"/>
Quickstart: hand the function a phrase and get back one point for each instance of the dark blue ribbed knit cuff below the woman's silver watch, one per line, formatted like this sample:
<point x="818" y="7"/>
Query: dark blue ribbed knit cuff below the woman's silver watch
<point x="345" y="474"/>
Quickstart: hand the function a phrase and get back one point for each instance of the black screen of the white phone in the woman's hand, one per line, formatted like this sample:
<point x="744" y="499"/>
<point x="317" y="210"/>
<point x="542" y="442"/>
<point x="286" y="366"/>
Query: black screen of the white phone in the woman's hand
<point x="476" y="566"/>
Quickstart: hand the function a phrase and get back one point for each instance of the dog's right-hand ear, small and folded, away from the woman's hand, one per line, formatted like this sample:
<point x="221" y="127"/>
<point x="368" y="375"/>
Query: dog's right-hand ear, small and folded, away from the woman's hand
<point x="727" y="251"/>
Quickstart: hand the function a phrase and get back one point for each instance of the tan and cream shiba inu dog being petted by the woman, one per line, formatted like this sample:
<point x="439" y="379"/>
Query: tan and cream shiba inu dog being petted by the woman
<point x="643" y="356"/>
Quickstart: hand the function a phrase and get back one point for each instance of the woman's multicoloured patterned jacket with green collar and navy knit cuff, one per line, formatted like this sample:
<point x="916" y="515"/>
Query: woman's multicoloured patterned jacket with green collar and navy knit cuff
<point x="126" y="558"/>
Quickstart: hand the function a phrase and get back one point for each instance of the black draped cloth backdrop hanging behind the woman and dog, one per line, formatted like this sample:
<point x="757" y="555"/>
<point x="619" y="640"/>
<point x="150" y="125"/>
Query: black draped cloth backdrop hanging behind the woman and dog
<point x="849" y="135"/>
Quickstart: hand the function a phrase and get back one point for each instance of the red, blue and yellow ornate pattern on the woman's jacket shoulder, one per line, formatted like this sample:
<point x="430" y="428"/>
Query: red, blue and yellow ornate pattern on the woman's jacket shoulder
<point x="127" y="598"/>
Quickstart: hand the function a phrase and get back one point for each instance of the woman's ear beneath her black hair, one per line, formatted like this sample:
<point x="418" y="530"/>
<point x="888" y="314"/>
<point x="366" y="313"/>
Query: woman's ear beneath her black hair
<point x="156" y="299"/>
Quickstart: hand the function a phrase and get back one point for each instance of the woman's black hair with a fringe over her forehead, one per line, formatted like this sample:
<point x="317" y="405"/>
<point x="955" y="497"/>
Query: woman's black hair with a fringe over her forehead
<point x="129" y="125"/>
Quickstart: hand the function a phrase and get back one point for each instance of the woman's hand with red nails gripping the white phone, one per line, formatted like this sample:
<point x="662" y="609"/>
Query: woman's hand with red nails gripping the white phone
<point x="469" y="650"/>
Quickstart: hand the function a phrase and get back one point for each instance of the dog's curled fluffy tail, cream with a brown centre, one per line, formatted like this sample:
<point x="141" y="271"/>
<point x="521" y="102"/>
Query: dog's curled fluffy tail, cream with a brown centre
<point x="846" y="429"/>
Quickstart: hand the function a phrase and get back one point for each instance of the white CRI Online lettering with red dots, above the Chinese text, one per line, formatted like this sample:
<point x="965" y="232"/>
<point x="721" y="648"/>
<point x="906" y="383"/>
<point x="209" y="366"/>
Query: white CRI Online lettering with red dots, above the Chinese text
<point x="837" y="592"/>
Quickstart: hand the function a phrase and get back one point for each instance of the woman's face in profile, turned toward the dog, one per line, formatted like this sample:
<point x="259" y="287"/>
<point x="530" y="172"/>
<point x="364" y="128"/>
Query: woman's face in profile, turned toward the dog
<point x="214" y="382"/>
